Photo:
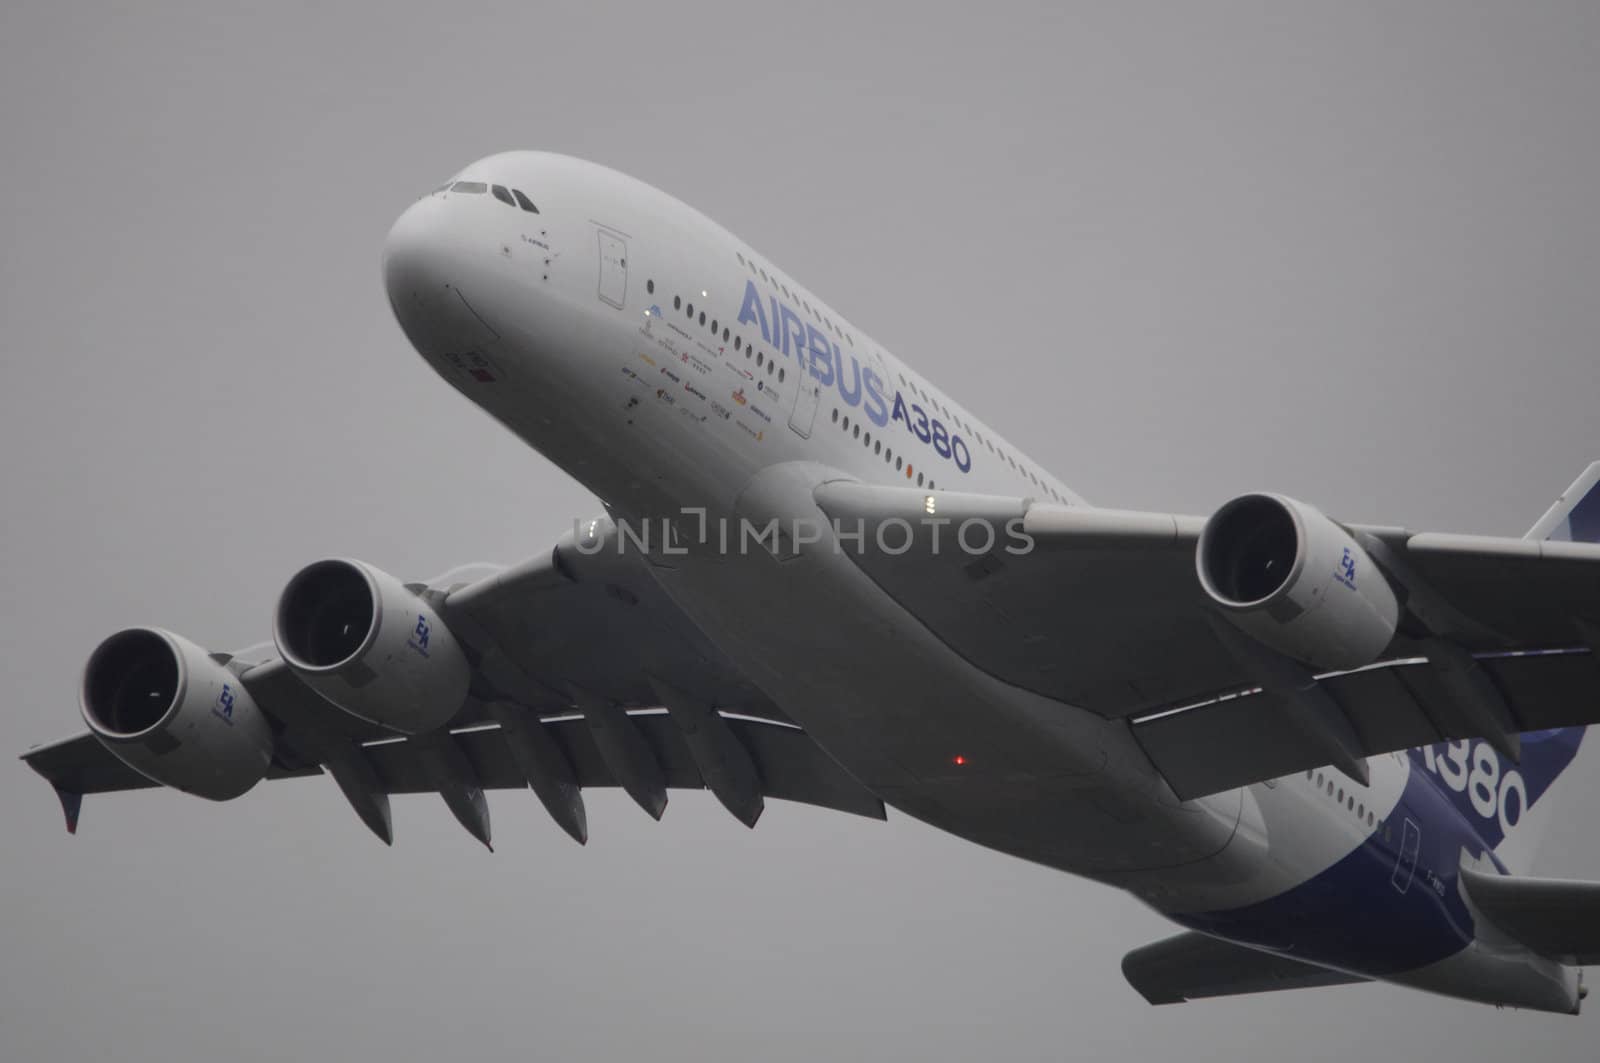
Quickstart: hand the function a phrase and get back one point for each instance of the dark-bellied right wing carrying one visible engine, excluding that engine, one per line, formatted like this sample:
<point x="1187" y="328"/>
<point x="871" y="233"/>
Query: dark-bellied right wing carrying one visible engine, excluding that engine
<point x="1105" y="611"/>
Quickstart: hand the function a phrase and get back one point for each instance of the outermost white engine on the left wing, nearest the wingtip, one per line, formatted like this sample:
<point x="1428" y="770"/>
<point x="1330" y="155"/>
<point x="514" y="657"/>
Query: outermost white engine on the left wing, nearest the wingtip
<point x="174" y="715"/>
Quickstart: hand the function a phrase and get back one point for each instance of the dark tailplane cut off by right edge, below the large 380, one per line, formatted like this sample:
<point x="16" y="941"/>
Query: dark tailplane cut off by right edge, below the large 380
<point x="1554" y="918"/>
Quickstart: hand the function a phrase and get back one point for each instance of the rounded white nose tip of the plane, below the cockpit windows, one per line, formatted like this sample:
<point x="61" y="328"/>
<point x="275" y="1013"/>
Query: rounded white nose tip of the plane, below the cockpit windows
<point x="425" y="270"/>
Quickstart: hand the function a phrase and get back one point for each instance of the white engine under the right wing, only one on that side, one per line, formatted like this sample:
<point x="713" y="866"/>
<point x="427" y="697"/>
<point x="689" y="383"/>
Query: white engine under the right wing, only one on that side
<point x="1297" y="582"/>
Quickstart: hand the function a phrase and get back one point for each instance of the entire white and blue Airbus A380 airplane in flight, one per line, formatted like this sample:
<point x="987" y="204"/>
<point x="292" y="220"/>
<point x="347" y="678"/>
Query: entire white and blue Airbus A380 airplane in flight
<point x="1327" y="752"/>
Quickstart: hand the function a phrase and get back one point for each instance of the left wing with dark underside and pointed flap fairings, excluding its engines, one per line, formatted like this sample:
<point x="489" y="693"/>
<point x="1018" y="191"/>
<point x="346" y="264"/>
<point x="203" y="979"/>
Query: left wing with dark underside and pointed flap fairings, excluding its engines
<point x="570" y="689"/>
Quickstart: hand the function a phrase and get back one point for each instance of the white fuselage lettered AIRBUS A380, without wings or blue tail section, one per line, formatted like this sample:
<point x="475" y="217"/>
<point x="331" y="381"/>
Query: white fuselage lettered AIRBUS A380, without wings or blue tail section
<point x="670" y="367"/>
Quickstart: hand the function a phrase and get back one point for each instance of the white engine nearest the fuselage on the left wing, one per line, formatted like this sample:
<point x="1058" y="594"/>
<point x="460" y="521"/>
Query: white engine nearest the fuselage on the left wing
<point x="378" y="651"/>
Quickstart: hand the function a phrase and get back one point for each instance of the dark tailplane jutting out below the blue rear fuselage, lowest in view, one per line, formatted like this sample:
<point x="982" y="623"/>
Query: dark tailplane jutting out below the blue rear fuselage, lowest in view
<point x="1194" y="966"/>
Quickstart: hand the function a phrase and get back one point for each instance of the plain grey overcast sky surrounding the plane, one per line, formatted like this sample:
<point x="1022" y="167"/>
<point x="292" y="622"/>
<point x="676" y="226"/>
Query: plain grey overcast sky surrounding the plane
<point x="1342" y="251"/>
